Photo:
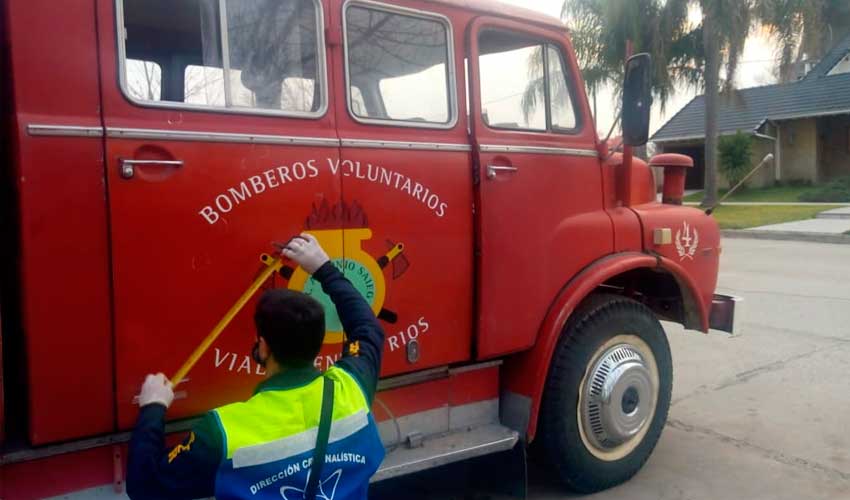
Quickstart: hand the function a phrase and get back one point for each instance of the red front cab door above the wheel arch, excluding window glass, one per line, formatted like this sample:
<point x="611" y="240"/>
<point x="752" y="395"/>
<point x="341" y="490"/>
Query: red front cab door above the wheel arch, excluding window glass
<point x="516" y="280"/>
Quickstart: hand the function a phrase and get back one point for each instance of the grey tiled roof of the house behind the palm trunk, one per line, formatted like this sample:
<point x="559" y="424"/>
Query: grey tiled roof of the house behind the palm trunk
<point x="815" y="95"/>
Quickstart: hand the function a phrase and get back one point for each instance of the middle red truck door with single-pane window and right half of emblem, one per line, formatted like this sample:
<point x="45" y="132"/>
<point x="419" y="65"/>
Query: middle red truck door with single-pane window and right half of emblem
<point x="406" y="179"/>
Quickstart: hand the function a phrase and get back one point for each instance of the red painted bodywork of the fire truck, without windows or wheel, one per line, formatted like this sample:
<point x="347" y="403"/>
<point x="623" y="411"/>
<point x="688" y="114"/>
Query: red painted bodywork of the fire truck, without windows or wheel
<point x="473" y="242"/>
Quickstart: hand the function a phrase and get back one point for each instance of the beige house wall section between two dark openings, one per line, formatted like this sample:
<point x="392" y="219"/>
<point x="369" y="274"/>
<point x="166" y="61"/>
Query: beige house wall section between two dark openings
<point x="799" y="150"/>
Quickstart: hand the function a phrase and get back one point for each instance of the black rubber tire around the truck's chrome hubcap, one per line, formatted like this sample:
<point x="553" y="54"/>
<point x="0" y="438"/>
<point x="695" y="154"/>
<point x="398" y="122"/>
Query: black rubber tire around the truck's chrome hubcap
<point x="580" y="462"/>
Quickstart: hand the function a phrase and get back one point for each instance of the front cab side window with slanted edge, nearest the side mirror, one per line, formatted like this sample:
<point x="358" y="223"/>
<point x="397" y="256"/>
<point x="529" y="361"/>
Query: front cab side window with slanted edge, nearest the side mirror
<point x="534" y="95"/>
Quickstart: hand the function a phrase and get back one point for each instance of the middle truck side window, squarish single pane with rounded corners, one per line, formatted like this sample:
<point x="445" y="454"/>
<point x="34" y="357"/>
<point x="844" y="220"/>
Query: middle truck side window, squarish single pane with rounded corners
<point x="399" y="66"/>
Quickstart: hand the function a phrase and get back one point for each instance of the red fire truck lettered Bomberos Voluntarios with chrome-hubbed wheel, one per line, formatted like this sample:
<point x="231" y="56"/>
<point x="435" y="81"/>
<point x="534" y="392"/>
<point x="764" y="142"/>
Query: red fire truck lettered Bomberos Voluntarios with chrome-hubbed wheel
<point x="442" y="151"/>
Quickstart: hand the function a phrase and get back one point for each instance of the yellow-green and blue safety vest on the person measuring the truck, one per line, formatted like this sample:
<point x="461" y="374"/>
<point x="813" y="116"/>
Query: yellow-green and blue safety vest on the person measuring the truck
<point x="268" y="442"/>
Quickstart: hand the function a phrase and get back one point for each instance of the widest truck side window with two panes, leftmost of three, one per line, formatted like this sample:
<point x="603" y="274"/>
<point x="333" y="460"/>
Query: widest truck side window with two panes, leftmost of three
<point x="264" y="55"/>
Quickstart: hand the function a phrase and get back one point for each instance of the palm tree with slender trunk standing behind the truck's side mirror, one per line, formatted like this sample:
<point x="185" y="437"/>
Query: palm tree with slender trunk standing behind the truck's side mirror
<point x="681" y="53"/>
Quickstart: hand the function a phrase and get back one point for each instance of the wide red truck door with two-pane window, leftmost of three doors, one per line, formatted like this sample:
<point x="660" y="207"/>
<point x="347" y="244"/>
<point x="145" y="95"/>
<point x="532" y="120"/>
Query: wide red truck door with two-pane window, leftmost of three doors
<point x="220" y="139"/>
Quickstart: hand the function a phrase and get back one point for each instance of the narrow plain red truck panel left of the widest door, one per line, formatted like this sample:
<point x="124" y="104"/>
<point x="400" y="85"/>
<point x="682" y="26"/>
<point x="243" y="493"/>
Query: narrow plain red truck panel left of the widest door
<point x="64" y="236"/>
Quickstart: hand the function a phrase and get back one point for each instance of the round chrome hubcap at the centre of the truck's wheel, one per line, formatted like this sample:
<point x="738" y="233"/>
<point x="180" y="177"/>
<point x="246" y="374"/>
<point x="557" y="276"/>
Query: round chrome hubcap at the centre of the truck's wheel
<point x="618" y="397"/>
